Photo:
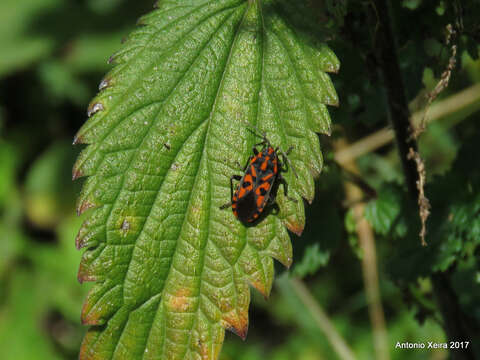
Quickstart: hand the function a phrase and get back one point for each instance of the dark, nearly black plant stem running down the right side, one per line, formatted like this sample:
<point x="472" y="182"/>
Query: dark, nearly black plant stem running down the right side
<point x="447" y="300"/>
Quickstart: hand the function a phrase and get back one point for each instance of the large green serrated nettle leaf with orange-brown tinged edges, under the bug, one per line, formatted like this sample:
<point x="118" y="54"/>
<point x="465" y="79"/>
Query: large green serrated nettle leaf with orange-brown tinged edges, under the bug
<point x="166" y="132"/>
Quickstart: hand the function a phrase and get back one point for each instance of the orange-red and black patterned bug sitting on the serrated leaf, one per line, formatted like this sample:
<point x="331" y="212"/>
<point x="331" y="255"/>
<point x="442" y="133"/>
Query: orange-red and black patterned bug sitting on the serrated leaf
<point x="258" y="185"/>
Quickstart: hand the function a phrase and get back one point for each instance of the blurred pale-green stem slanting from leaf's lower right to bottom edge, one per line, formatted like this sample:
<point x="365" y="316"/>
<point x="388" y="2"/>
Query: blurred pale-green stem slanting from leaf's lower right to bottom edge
<point x="322" y="320"/>
